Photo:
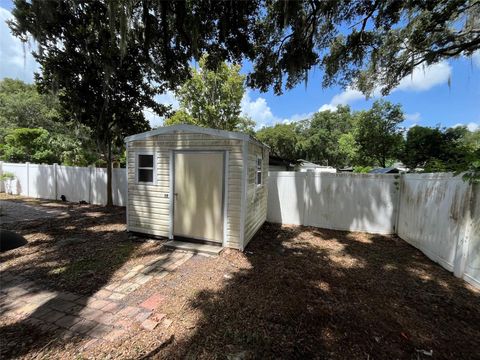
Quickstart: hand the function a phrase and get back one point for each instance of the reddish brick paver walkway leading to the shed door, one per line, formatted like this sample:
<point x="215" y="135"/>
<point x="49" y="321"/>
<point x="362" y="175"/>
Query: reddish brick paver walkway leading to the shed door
<point x="101" y="317"/>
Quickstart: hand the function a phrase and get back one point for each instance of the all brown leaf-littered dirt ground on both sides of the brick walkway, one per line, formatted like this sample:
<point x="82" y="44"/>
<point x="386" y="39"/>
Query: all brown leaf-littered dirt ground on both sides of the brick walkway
<point x="296" y="292"/>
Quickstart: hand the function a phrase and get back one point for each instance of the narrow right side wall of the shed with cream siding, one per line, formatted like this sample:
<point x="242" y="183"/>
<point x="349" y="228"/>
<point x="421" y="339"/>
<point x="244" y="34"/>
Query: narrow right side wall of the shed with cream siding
<point x="256" y="211"/>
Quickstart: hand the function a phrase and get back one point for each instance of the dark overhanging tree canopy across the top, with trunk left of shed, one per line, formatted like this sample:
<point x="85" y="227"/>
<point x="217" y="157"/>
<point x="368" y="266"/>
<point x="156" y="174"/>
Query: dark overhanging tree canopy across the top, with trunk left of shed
<point x="103" y="55"/>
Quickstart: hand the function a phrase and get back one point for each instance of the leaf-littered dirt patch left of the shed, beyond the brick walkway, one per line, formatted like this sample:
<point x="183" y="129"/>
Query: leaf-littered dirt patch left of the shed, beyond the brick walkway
<point x="78" y="251"/>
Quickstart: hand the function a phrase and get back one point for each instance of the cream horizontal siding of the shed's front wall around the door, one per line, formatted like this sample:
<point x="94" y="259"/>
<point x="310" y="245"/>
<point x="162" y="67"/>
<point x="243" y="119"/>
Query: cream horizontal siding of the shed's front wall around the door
<point x="149" y="206"/>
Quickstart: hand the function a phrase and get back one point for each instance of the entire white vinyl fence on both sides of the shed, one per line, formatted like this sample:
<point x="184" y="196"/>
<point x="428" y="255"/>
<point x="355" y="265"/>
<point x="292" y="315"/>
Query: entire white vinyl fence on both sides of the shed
<point x="437" y="213"/>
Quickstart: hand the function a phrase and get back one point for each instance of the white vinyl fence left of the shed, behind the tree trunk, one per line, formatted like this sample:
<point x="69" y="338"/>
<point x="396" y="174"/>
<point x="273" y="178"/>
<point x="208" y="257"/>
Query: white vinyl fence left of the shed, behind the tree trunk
<point x="76" y="183"/>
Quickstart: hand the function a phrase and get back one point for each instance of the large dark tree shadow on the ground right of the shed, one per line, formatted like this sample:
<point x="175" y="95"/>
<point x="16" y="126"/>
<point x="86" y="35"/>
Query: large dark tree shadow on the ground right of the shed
<point x="312" y="293"/>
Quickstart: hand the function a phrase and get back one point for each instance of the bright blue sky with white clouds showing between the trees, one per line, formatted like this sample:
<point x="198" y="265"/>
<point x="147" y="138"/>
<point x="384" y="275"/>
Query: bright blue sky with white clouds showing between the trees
<point x="426" y="97"/>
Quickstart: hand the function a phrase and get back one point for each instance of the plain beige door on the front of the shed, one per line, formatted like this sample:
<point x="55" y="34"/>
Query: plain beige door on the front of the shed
<point x="198" y="209"/>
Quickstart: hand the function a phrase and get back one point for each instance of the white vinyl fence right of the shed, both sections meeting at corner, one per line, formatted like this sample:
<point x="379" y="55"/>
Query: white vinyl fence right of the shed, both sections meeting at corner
<point x="437" y="213"/>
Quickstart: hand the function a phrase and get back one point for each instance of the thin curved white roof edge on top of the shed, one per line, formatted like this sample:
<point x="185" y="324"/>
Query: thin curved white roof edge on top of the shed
<point x="192" y="128"/>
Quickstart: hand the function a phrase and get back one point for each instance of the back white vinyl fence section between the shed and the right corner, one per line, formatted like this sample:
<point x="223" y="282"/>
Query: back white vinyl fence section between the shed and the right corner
<point x="340" y="201"/>
